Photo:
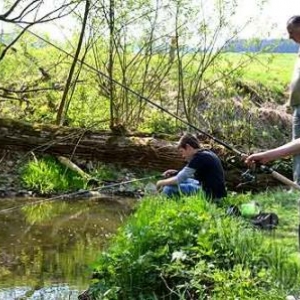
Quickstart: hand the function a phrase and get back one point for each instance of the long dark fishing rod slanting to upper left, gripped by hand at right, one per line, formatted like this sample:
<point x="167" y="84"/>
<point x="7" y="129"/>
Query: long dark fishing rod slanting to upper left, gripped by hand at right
<point x="264" y="168"/>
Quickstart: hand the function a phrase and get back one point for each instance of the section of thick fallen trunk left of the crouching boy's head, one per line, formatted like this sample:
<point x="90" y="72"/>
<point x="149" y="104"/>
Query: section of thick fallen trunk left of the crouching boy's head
<point x="129" y="150"/>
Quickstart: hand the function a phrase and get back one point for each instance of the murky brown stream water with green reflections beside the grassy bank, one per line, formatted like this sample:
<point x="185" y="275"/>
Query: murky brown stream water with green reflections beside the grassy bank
<point x="47" y="249"/>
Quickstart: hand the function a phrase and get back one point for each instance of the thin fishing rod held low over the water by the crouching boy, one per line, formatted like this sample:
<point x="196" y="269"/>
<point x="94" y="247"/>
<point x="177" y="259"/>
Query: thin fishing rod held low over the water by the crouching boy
<point x="70" y="195"/>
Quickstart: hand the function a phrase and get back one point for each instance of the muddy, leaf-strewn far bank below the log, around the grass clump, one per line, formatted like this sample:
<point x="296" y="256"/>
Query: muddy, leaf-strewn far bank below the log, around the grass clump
<point x="112" y="181"/>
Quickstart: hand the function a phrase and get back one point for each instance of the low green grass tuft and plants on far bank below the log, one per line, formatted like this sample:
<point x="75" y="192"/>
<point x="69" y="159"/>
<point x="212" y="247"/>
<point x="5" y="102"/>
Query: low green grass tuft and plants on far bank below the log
<point x="47" y="176"/>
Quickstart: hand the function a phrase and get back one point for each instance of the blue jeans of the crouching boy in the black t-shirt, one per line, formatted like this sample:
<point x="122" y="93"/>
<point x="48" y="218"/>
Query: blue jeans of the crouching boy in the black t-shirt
<point x="187" y="187"/>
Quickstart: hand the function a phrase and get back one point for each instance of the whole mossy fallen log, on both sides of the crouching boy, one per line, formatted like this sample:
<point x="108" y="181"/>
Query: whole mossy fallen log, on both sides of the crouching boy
<point x="130" y="150"/>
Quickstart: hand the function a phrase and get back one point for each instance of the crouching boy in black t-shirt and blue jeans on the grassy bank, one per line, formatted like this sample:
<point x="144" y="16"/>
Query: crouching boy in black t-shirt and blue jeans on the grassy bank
<point x="203" y="171"/>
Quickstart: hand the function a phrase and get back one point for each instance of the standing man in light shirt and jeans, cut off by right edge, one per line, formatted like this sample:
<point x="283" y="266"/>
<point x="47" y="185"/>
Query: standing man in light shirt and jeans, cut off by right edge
<point x="293" y="28"/>
